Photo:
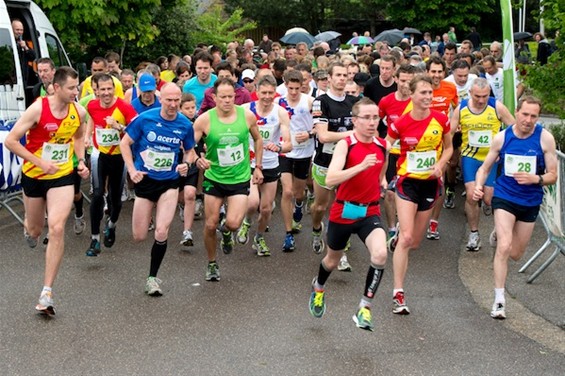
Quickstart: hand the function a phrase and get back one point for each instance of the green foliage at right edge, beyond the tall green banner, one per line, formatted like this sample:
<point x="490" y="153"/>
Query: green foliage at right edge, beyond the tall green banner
<point x="546" y="80"/>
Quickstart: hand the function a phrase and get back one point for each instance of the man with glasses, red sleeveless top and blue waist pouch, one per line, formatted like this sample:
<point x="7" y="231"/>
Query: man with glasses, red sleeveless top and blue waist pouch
<point x="358" y="166"/>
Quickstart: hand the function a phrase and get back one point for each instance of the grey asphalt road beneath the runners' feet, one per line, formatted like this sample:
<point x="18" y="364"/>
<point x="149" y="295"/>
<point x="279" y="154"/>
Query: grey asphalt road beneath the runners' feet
<point x="256" y="320"/>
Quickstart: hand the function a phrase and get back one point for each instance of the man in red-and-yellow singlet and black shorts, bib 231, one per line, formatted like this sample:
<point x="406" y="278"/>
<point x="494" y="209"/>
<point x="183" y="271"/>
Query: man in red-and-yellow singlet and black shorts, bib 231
<point x="55" y="131"/>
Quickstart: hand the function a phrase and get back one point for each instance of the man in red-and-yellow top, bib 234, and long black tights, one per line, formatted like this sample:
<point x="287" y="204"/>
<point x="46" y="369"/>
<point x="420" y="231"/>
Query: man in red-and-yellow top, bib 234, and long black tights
<point x="109" y="116"/>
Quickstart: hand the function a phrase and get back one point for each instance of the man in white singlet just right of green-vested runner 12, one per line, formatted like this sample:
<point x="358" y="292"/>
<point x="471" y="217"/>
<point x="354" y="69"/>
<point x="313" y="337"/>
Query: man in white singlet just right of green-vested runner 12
<point x="273" y="123"/>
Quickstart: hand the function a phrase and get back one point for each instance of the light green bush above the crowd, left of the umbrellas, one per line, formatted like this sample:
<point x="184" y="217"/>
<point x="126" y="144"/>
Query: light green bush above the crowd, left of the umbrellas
<point x="214" y="27"/>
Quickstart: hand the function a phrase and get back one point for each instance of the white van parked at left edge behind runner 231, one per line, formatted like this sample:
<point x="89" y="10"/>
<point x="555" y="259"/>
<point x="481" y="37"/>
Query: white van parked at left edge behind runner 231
<point x="15" y="95"/>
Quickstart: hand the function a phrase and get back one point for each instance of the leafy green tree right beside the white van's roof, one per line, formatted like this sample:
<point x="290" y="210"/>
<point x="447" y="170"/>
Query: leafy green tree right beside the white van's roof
<point x="96" y="26"/>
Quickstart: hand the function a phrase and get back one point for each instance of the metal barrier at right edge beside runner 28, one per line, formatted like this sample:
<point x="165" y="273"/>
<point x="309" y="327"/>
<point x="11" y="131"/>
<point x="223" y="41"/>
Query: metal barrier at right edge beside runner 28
<point x="552" y="213"/>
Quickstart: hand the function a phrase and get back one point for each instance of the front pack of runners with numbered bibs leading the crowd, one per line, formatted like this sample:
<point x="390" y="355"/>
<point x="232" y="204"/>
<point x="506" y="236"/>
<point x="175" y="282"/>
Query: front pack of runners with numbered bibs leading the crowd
<point x="357" y="151"/>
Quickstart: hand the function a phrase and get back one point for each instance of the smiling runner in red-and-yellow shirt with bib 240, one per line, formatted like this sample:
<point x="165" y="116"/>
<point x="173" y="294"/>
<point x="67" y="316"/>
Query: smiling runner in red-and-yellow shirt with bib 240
<point x="425" y="148"/>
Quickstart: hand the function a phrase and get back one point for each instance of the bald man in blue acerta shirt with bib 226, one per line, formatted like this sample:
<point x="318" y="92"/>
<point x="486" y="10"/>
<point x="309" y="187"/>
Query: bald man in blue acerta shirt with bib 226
<point x="150" y="148"/>
